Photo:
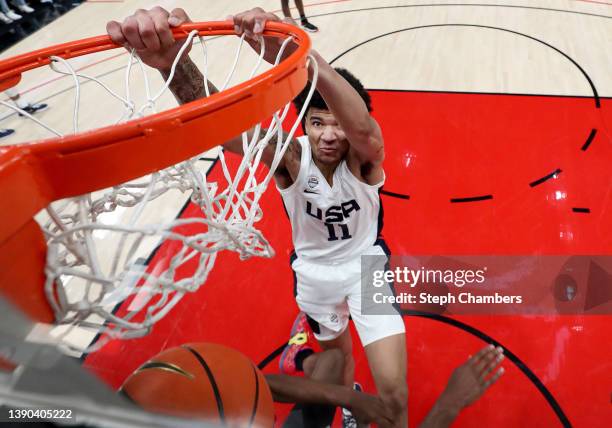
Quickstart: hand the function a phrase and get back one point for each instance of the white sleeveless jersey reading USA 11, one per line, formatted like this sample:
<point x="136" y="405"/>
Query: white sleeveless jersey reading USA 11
<point x="331" y="224"/>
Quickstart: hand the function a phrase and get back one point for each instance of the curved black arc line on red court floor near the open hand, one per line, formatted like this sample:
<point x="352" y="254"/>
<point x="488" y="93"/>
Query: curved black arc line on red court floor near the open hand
<point x="550" y="399"/>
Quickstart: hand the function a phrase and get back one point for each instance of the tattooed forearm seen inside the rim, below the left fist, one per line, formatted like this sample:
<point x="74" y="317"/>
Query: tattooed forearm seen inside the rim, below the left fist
<point x="188" y="83"/>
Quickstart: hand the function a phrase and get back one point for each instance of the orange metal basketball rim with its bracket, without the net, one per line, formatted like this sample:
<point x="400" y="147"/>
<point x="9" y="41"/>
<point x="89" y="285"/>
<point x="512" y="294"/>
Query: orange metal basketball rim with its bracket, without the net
<point x="34" y="174"/>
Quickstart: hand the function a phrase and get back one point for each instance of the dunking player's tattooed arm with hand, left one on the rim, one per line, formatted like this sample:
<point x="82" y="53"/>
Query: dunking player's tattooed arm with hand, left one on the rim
<point x="150" y="33"/>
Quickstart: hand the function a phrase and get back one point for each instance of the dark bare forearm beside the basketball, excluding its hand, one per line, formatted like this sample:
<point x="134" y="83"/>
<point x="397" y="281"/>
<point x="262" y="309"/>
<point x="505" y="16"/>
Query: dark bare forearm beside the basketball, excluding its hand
<point x="292" y="389"/>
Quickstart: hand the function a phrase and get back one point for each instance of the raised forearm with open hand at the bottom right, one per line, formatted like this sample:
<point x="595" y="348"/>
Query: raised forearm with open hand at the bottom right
<point x="466" y="385"/>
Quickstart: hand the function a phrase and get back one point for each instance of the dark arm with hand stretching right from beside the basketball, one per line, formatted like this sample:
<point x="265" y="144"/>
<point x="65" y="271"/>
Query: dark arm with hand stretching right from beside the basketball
<point x="292" y="389"/>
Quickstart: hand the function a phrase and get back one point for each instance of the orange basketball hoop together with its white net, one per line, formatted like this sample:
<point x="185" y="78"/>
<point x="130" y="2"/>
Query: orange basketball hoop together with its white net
<point x="80" y="177"/>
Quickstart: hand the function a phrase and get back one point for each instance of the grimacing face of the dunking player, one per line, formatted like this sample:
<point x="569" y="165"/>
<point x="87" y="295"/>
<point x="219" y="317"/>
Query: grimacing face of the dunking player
<point x="327" y="139"/>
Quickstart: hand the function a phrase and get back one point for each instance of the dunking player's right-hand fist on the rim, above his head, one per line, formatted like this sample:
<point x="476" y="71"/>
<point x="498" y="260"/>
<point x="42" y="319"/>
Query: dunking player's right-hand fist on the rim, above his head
<point x="252" y="24"/>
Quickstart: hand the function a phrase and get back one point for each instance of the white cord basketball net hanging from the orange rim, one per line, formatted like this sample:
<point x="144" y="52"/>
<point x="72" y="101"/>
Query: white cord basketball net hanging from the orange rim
<point x="84" y="279"/>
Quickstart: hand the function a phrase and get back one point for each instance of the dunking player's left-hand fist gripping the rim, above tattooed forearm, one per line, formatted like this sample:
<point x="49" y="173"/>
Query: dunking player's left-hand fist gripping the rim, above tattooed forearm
<point x="150" y="33"/>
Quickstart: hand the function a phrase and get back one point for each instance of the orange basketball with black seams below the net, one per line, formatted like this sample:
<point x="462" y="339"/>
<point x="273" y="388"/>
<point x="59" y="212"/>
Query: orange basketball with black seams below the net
<point x="203" y="380"/>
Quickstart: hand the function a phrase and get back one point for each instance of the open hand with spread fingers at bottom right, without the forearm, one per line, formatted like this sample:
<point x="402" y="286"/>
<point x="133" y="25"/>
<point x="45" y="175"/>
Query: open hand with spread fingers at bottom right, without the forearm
<point x="471" y="380"/>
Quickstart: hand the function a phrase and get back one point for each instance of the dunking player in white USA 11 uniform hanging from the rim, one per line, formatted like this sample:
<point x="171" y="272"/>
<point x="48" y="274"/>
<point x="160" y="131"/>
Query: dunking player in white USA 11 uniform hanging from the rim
<point x="329" y="181"/>
